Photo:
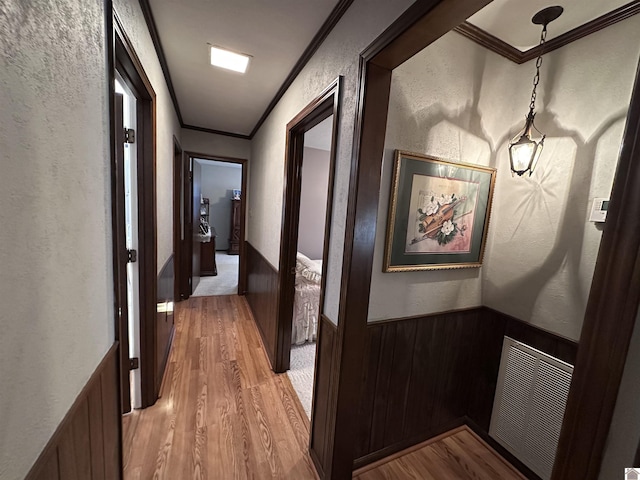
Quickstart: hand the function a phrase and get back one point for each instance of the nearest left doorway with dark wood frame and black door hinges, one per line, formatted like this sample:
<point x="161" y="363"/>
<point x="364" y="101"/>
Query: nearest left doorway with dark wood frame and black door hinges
<point x="151" y="334"/>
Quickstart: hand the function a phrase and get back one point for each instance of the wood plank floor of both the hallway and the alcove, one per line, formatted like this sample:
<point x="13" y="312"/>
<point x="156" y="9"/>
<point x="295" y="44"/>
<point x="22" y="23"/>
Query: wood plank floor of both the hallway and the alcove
<point x="223" y="414"/>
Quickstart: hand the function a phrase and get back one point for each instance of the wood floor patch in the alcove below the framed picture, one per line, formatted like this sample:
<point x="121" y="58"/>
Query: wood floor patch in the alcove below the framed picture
<point x="456" y="455"/>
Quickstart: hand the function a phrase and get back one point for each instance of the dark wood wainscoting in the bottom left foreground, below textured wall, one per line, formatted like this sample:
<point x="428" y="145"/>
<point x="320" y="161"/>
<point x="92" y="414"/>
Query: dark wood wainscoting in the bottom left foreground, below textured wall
<point x="110" y="456"/>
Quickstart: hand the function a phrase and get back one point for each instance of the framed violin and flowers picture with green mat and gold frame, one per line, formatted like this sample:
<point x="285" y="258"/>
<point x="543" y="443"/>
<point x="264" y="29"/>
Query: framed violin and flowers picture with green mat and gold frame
<point x="439" y="214"/>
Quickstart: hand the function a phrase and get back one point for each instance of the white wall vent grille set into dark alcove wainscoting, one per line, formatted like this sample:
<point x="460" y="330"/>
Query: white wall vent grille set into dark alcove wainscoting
<point x="529" y="404"/>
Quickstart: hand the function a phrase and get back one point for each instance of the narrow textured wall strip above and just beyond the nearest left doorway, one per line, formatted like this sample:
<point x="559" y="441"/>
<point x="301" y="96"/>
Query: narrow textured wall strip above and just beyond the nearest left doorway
<point x="167" y="125"/>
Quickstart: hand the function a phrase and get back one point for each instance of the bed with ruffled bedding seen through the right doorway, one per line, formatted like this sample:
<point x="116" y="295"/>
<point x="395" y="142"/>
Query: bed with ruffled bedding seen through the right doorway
<point x="306" y="300"/>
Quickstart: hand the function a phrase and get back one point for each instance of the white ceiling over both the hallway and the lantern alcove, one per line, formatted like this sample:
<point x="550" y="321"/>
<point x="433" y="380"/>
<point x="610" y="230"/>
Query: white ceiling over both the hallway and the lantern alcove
<point x="276" y="34"/>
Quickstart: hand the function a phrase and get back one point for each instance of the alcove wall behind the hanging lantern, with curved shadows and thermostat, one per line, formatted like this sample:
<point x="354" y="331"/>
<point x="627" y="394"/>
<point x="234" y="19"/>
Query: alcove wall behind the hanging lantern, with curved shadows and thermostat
<point x="542" y="248"/>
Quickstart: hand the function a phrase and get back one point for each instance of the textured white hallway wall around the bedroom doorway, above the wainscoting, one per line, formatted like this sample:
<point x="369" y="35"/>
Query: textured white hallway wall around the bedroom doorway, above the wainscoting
<point x="338" y="55"/>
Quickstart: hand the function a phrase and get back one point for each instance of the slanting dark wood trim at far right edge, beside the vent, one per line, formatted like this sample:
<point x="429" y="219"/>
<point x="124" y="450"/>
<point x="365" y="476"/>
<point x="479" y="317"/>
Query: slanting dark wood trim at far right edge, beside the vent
<point x="610" y="317"/>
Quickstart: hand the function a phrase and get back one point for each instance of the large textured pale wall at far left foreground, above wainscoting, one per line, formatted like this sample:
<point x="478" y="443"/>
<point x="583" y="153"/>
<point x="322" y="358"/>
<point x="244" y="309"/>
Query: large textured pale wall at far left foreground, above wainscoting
<point x="55" y="221"/>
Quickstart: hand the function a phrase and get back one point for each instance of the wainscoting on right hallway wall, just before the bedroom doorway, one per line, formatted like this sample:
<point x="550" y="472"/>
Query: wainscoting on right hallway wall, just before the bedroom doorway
<point x="262" y="296"/>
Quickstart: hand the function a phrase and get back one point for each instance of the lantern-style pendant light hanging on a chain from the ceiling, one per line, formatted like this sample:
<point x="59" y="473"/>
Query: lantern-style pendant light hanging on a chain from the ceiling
<point x="524" y="151"/>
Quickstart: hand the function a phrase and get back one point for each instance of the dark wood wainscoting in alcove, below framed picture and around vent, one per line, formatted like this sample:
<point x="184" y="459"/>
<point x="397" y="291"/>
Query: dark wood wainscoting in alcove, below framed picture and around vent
<point x="426" y="375"/>
